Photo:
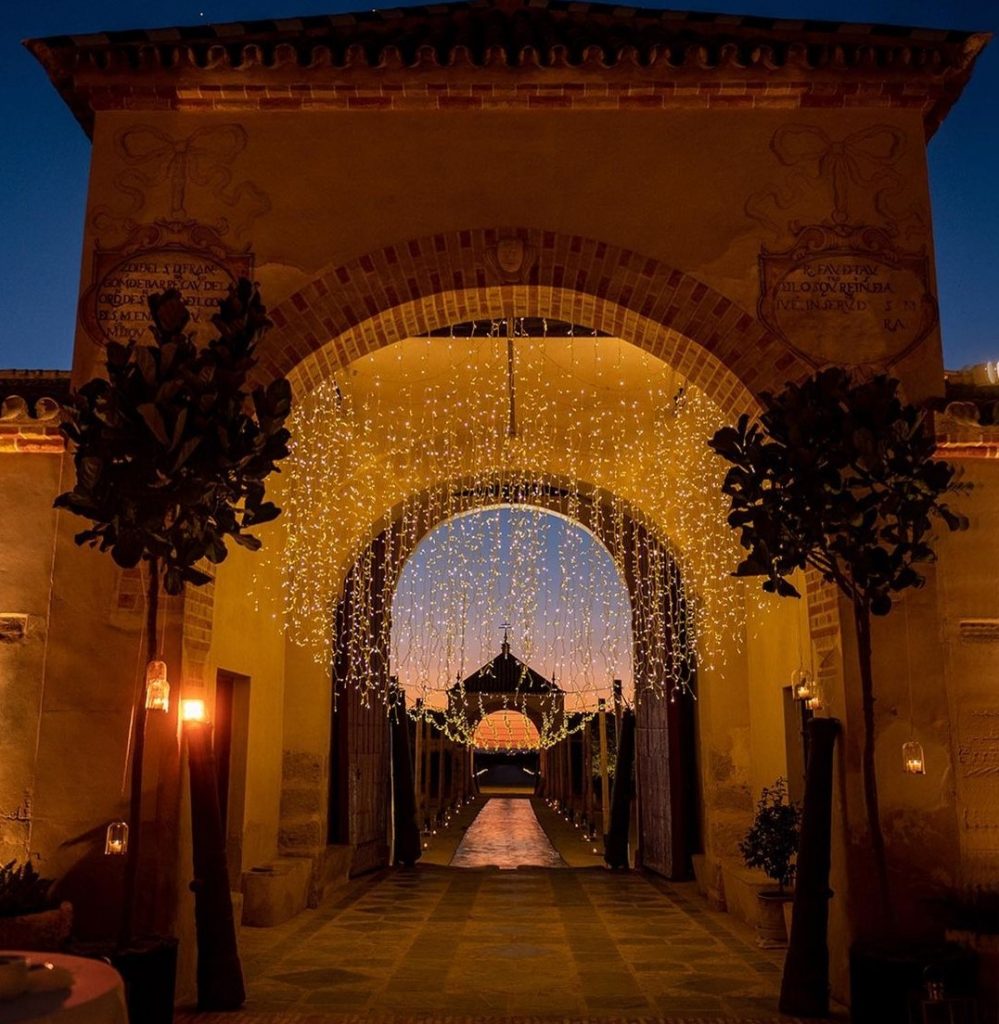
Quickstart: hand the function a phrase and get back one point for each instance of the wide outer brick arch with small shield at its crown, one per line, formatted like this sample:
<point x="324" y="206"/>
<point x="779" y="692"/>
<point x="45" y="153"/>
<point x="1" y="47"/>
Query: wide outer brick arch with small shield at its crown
<point x="425" y="284"/>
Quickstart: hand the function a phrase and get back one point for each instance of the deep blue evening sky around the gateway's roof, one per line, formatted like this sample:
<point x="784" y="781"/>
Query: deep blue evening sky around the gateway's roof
<point x="45" y="161"/>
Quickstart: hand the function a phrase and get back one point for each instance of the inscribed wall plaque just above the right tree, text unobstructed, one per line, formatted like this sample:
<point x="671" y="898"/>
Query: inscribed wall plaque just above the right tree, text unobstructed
<point x="847" y="295"/>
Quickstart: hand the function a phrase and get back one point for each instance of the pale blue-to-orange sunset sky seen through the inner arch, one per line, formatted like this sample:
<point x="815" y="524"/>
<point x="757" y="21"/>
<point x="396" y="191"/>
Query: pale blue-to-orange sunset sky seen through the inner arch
<point x="540" y="580"/>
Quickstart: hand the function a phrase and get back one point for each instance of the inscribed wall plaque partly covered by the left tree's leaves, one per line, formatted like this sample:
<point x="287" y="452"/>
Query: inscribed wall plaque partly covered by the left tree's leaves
<point x="188" y="258"/>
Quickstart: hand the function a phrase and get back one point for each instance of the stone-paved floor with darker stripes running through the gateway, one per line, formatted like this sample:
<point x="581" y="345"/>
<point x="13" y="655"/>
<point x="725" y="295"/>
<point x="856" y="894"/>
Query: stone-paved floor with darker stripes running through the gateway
<point x="441" y="944"/>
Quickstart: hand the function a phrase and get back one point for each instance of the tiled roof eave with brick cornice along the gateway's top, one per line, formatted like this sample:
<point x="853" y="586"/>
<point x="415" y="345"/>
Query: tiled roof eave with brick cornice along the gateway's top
<point x="496" y="52"/>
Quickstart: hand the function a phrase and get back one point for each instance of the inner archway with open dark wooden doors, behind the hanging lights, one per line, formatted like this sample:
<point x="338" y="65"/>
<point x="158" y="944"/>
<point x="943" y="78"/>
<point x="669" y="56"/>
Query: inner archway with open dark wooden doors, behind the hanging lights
<point x="667" y="764"/>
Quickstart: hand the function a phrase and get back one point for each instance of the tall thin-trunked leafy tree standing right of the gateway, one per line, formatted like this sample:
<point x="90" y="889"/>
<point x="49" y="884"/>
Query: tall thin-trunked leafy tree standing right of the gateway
<point x="840" y="477"/>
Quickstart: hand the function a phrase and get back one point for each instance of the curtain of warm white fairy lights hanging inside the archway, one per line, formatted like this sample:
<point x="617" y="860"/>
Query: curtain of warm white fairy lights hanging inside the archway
<point x="419" y="435"/>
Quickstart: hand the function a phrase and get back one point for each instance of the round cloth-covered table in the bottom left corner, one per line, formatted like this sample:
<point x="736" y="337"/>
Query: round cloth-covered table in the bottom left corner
<point x="98" y="995"/>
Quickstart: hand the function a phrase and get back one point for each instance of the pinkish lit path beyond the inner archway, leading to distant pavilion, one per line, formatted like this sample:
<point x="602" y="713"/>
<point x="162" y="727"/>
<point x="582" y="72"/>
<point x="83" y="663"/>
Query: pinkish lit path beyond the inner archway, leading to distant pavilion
<point x="506" y="834"/>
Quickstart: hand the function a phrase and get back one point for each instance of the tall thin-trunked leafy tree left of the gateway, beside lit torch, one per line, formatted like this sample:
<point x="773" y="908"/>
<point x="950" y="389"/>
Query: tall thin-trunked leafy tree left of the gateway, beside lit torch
<point x="171" y="451"/>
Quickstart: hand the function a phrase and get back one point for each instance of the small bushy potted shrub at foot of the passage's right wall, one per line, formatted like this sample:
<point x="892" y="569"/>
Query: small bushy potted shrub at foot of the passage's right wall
<point x="772" y="845"/>
